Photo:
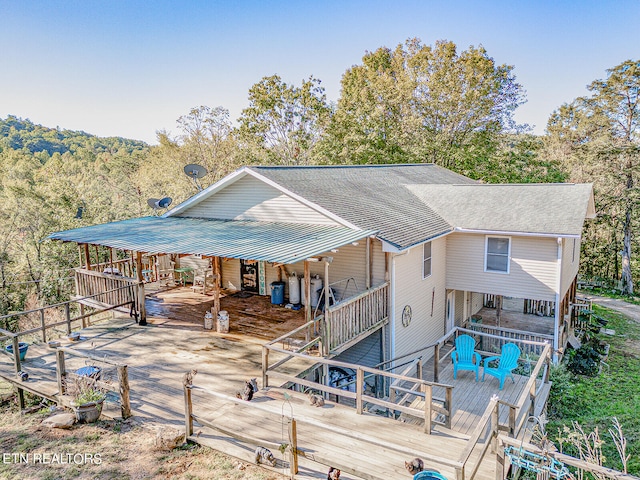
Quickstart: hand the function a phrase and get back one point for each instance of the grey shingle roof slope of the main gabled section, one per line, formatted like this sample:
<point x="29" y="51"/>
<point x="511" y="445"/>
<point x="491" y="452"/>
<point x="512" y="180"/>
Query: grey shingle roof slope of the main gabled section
<point x="372" y="197"/>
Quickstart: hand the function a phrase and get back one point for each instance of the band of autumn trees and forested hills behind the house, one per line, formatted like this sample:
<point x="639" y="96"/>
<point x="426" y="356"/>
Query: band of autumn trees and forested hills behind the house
<point x="414" y="103"/>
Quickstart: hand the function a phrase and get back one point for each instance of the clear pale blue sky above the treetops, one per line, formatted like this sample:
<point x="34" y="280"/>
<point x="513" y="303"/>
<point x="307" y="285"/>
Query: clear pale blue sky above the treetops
<point x="130" y="68"/>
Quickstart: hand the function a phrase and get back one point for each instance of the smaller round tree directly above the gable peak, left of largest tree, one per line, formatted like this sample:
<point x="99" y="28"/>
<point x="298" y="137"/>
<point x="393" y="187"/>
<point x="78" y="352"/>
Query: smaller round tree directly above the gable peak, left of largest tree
<point x="283" y="123"/>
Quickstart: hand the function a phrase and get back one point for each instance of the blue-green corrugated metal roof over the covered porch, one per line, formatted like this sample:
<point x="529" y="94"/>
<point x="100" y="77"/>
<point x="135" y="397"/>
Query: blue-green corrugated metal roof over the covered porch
<point x="266" y="241"/>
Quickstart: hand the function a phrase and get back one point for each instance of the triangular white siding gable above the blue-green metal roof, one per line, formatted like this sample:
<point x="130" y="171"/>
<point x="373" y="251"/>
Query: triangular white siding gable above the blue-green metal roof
<point x="251" y="199"/>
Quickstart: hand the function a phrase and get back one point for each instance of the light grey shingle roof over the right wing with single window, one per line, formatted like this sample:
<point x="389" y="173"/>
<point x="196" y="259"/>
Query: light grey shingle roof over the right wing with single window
<point x="554" y="209"/>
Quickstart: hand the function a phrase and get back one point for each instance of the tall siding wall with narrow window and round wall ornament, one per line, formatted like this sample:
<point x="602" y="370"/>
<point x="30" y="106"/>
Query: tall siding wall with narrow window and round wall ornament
<point x="427" y="298"/>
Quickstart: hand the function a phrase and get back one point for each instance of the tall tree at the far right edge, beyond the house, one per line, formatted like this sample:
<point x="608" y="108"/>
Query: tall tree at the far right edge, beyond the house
<point x="598" y="138"/>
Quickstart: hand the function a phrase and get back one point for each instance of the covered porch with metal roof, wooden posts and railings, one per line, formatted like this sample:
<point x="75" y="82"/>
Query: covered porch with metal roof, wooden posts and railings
<point x="341" y="271"/>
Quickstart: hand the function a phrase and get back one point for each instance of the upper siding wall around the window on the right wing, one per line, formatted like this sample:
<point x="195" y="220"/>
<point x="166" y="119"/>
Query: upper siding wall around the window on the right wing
<point x="532" y="274"/>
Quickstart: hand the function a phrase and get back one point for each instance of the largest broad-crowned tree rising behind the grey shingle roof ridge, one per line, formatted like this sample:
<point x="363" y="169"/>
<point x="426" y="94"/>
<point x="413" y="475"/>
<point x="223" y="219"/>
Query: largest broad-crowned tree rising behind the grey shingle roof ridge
<point x="420" y="103"/>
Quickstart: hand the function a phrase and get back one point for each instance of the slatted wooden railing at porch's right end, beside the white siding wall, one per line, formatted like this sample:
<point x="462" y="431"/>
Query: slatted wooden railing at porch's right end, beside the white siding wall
<point x="346" y="321"/>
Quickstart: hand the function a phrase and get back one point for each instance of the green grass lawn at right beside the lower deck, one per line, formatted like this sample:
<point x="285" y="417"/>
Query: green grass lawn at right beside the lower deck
<point x="615" y="392"/>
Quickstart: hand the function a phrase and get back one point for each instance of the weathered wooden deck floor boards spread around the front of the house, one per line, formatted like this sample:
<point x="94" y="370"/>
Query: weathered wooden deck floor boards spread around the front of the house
<point x="175" y="342"/>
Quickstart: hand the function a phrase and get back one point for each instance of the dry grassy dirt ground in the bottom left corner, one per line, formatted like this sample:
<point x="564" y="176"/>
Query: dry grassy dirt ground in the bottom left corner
<point x="108" y="449"/>
